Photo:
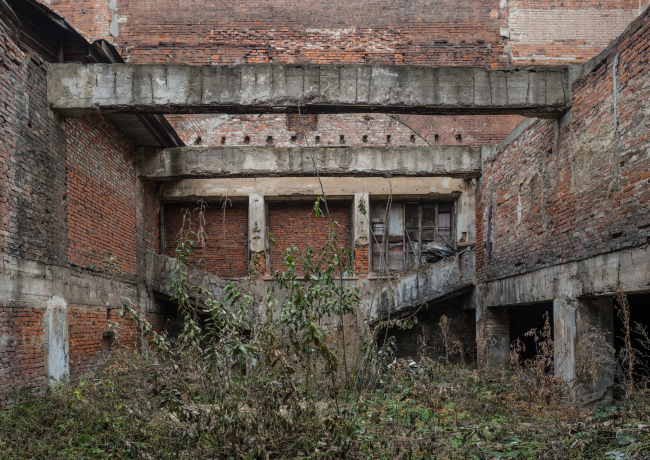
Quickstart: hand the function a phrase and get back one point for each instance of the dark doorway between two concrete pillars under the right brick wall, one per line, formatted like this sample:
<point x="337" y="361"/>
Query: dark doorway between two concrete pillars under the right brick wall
<point x="525" y="318"/>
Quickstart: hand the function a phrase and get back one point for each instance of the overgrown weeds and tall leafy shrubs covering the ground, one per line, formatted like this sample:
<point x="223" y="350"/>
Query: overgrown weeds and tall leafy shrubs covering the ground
<point x="297" y="378"/>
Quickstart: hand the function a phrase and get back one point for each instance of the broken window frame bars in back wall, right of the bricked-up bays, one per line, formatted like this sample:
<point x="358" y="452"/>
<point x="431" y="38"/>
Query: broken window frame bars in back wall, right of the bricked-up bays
<point x="412" y="256"/>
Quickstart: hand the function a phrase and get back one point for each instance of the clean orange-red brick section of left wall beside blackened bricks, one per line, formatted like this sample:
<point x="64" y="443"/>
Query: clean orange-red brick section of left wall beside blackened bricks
<point x="101" y="194"/>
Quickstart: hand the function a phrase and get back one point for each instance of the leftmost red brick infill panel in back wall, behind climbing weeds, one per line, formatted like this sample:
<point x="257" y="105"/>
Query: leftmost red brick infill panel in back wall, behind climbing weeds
<point x="226" y="237"/>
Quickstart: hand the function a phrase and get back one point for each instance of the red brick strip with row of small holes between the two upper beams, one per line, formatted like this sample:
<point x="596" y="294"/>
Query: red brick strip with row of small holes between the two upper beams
<point x="402" y="129"/>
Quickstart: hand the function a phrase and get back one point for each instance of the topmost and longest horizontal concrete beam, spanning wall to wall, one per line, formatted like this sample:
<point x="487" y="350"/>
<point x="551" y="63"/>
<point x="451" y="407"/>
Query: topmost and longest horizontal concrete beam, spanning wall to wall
<point x="266" y="88"/>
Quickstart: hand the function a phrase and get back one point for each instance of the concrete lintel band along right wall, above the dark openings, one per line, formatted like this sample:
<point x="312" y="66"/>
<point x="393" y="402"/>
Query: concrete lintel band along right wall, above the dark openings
<point x="596" y="276"/>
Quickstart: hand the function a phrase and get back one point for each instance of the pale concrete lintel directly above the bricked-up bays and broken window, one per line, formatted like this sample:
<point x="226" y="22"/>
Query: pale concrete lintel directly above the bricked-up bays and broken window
<point x="295" y="187"/>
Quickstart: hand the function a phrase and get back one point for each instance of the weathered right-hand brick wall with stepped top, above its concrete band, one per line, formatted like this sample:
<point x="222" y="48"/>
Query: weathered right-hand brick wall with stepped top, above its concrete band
<point x="567" y="192"/>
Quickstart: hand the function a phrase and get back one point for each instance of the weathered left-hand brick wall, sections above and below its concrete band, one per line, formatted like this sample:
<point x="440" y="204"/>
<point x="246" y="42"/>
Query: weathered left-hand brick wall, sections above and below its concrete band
<point x="67" y="196"/>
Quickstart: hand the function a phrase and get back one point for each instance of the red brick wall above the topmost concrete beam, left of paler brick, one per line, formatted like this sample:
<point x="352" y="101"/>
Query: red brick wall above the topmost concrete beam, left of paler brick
<point x="462" y="33"/>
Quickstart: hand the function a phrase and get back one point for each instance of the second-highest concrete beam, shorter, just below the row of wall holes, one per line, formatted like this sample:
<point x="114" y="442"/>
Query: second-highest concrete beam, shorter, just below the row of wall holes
<point x="192" y="162"/>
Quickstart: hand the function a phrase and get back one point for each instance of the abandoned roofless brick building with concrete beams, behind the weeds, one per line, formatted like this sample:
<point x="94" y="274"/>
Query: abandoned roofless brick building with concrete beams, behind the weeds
<point x="514" y="133"/>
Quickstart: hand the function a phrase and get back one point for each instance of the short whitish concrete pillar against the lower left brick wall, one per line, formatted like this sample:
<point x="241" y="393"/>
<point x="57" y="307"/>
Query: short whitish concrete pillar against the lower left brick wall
<point x="56" y="346"/>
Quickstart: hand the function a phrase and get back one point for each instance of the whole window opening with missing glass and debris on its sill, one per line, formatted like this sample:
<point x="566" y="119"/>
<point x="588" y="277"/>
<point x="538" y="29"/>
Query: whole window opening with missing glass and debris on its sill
<point x="406" y="235"/>
